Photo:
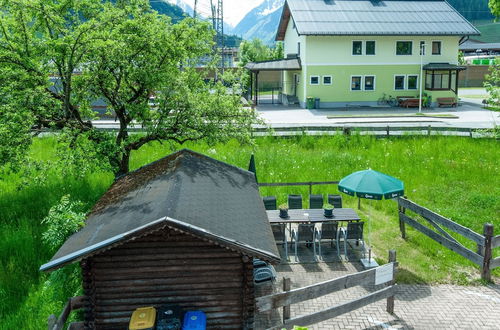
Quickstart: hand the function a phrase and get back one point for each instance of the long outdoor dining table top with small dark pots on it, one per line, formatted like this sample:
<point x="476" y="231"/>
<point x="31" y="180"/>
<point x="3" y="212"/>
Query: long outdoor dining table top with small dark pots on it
<point x="312" y="216"/>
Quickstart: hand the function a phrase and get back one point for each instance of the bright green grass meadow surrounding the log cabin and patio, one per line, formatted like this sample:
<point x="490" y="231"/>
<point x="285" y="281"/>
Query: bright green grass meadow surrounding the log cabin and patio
<point x="456" y="177"/>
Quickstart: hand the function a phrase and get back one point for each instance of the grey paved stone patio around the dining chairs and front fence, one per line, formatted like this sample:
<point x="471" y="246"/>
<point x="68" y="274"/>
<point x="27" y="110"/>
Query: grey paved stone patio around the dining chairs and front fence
<point x="416" y="306"/>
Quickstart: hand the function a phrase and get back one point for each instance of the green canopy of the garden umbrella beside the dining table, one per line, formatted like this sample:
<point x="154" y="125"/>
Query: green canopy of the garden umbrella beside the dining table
<point x="371" y="184"/>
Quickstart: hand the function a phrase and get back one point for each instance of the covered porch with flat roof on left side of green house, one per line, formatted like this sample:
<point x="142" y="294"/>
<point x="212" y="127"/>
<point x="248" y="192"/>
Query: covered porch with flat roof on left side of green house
<point x="292" y="63"/>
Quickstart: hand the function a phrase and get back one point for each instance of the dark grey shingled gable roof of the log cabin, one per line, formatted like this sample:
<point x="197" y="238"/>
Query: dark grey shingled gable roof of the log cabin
<point x="186" y="191"/>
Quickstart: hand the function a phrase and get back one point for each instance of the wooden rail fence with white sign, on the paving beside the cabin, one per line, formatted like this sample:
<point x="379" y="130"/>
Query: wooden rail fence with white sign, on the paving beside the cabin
<point x="379" y="275"/>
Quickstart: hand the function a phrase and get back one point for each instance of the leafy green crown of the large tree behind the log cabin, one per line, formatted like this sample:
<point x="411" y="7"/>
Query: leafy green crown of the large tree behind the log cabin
<point x="71" y="53"/>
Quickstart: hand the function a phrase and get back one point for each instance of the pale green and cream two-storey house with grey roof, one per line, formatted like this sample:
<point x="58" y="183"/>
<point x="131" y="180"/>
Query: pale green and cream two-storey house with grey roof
<point x="352" y="52"/>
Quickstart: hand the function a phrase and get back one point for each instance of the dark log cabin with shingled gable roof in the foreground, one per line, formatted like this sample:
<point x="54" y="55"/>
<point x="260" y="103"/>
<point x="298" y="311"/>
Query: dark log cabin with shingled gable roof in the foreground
<point x="183" y="230"/>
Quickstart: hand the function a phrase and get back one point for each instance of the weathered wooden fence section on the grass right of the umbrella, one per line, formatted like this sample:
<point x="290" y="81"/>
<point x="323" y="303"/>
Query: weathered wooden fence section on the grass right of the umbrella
<point x="485" y="242"/>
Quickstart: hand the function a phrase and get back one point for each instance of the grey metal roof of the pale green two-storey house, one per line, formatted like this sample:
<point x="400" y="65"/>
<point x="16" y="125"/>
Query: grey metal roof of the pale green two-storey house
<point x="363" y="17"/>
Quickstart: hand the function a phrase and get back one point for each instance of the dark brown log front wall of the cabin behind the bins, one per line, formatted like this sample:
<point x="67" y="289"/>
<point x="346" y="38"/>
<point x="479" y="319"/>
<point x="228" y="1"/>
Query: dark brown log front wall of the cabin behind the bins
<point x="169" y="267"/>
